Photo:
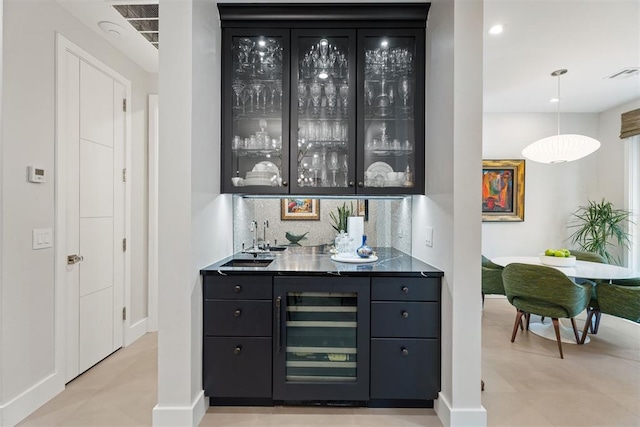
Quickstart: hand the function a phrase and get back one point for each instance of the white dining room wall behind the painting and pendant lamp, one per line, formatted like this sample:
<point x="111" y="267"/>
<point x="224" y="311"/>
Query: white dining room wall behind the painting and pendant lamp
<point x="552" y="191"/>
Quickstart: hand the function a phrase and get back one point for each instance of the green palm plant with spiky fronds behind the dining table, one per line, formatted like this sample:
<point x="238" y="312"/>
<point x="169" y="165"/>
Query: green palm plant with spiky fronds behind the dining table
<point x="599" y="228"/>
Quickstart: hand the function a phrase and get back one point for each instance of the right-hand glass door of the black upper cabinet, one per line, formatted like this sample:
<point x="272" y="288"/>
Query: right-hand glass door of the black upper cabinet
<point x="391" y="104"/>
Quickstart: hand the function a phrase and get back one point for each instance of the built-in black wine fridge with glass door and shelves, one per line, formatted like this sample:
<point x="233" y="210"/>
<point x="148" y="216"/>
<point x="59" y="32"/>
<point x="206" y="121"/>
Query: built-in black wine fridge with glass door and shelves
<point x="321" y="338"/>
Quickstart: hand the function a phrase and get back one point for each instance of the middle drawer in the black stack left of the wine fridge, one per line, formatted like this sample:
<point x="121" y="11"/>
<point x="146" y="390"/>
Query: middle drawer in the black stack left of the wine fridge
<point x="238" y="318"/>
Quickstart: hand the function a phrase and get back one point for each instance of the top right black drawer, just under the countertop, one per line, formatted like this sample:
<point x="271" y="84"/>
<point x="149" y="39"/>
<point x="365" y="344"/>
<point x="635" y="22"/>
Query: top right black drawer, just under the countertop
<point x="405" y="289"/>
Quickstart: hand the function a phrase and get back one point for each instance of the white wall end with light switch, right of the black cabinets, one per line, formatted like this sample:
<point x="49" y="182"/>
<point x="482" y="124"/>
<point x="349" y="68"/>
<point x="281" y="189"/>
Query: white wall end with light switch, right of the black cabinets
<point x="452" y="202"/>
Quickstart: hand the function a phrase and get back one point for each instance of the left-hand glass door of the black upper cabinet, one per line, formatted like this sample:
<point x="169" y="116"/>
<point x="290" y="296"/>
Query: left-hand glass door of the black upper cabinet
<point x="255" y="84"/>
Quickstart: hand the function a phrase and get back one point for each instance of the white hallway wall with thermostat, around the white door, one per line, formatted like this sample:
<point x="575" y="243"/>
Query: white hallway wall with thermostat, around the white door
<point x="27" y="346"/>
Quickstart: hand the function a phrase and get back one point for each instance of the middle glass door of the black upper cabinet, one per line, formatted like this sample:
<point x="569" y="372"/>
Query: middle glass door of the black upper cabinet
<point x="323" y="111"/>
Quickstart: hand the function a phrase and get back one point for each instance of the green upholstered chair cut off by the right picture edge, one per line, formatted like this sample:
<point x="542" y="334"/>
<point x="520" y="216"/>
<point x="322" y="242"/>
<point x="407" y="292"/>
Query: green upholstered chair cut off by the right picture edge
<point x="621" y="298"/>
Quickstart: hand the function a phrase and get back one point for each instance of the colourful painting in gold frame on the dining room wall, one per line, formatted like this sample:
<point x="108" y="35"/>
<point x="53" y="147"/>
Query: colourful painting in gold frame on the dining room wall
<point x="503" y="190"/>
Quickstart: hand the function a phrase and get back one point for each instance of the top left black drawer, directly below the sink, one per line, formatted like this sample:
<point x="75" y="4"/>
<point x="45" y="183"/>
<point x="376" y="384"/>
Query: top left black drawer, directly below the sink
<point x="237" y="287"/>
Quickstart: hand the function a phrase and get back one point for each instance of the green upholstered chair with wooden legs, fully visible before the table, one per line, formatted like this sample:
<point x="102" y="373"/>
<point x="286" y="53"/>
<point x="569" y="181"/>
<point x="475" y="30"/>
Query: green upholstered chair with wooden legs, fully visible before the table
<point x="545" y="291"/>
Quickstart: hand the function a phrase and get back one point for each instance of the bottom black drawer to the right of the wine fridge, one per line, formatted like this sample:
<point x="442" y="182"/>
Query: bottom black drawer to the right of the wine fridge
<point x="405" y="368"/>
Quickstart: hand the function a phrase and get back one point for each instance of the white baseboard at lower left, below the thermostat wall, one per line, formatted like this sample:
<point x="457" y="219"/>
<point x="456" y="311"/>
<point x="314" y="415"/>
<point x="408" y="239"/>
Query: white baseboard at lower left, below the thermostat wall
<point x="23" y="405"/>
